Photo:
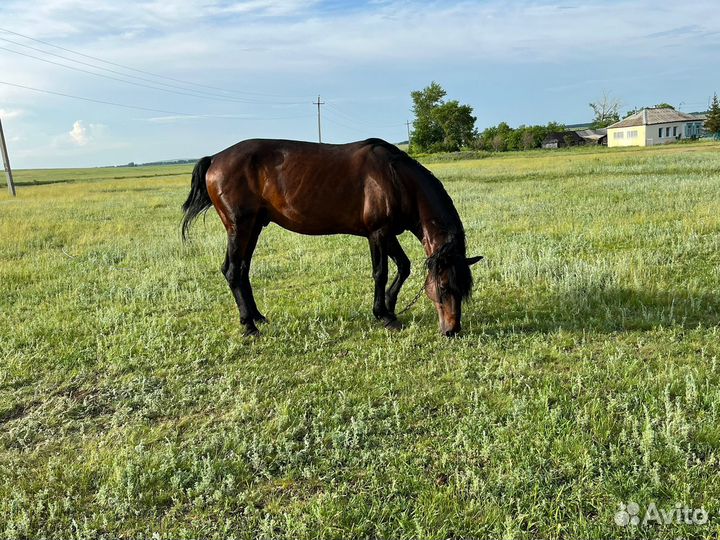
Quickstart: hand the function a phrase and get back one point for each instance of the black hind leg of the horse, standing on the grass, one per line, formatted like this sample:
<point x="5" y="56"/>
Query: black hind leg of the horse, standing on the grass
<point x="242" y="239"/>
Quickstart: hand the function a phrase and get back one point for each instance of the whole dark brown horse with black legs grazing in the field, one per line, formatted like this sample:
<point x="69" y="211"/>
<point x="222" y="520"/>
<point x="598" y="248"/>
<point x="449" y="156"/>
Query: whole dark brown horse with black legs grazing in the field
<point x="368" y="188"/>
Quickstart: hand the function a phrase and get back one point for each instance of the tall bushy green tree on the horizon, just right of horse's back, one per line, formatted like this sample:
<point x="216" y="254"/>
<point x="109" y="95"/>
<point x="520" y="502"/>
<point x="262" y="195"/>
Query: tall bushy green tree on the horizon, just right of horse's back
<point x="440" y="125"/>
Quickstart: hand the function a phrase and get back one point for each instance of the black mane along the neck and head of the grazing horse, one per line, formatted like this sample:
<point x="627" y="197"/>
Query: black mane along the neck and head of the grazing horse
<point x="450" y="256"/>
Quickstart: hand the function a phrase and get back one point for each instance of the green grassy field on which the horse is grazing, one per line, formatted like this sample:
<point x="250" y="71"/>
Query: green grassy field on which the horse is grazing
<point x="587" y="375"/>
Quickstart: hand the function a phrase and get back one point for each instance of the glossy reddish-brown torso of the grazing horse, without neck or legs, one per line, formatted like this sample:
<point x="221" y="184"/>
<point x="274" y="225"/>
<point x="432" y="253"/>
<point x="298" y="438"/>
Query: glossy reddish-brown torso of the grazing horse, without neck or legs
<point x="307" y="187"/>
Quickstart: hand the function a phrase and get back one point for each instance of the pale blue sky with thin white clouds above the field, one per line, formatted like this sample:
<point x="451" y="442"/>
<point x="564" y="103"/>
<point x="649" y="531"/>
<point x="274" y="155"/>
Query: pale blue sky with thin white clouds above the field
<point x="180" y="79"/>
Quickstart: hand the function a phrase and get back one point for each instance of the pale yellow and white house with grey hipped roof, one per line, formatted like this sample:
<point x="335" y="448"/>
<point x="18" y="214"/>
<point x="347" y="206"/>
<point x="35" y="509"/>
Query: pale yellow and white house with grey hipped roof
<point x="649" y="127"/>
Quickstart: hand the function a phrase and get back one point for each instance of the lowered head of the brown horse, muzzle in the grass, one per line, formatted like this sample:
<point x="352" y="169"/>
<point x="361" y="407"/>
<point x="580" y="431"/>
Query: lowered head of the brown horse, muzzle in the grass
<point x="449" y="282"/>
